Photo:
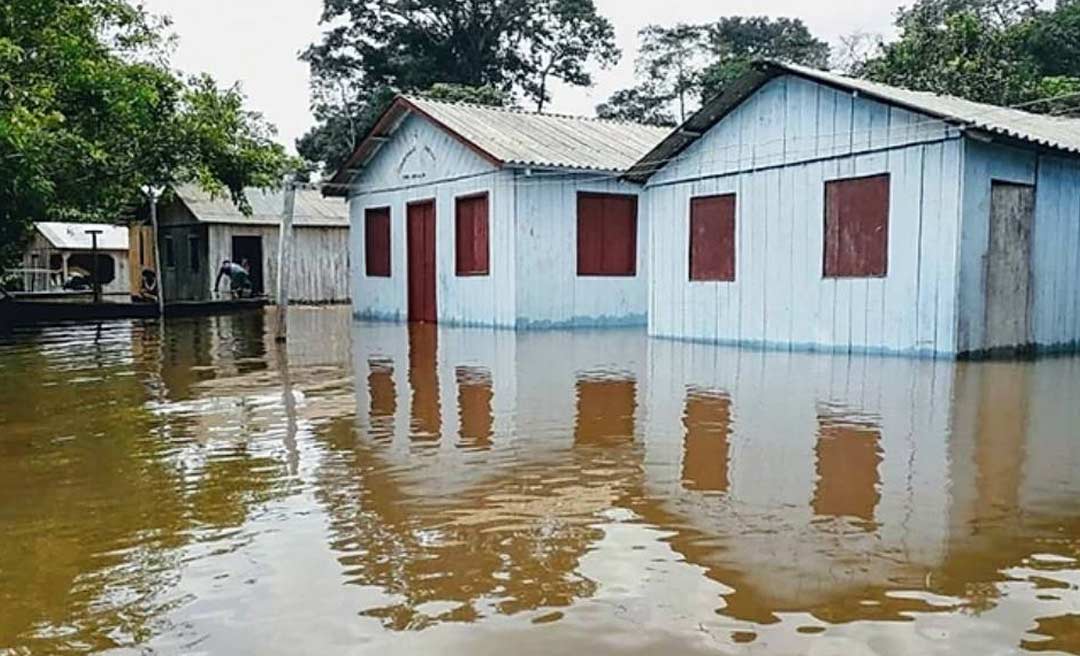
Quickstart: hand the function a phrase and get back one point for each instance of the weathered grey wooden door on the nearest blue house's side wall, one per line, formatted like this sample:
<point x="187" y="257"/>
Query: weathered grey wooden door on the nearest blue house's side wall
<point x="1009" y="266"/>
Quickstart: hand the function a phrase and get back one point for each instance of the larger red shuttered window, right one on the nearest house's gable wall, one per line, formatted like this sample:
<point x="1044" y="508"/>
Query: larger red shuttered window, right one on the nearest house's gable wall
<point x="857" y="227"/>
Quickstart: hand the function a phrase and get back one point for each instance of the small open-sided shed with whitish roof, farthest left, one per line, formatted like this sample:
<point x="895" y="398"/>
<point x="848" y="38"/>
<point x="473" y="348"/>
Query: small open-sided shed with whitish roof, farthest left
<point x="60" y="255"/>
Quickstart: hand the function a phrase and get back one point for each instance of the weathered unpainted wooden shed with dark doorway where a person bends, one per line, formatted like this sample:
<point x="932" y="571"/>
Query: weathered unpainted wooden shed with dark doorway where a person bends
<point x="199" y="231"/>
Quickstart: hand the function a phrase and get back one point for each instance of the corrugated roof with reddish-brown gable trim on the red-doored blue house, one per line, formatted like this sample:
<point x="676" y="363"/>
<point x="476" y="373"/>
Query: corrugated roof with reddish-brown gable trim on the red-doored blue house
<point x="516" y="138"/>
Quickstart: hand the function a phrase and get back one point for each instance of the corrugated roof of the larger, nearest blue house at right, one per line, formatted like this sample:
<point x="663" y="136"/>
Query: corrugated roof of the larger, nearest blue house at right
<point x="1039" y="130"/>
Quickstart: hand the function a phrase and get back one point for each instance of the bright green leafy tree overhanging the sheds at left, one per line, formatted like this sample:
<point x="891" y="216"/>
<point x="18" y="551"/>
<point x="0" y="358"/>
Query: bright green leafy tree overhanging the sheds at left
<point x="90" y="114"/>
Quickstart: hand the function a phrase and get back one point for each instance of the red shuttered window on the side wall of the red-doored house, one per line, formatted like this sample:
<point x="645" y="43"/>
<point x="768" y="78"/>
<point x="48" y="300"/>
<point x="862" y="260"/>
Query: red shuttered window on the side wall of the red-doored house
<point x="607" y="235"/>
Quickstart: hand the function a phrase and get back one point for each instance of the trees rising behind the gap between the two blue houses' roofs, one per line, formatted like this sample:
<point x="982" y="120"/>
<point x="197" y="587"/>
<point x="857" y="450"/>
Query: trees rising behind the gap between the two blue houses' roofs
<point x="680" y="66"/>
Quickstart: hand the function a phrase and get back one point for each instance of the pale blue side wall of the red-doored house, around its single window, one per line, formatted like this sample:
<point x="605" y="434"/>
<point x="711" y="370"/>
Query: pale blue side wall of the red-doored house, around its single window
<point x="550" y="293"/>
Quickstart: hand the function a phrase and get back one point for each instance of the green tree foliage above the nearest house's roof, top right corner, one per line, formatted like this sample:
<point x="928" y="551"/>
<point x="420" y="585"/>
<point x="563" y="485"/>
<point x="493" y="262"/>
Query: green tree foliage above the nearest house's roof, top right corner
<point x="1004" y="52"/>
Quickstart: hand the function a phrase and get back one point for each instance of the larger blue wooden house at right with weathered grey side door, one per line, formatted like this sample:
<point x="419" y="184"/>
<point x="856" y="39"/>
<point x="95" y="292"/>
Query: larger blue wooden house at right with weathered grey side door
<point x="805" y="210"/>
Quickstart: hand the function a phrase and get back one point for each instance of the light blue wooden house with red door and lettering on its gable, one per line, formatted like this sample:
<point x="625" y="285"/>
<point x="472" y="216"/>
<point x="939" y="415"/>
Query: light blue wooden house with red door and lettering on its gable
<point x="480" y="216"/>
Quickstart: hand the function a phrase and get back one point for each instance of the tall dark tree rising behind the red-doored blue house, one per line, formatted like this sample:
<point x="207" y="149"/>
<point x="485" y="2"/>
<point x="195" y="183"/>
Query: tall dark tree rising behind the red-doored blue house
<point x="376" y="48"/>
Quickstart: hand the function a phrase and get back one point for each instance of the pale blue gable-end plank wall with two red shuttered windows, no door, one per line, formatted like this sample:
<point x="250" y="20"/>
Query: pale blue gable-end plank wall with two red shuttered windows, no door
<point x="776" y="152"/>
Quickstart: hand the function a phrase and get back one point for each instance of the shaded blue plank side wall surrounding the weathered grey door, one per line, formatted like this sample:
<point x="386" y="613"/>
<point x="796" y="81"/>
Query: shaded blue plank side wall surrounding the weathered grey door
<point x="1056" y="250"/>
